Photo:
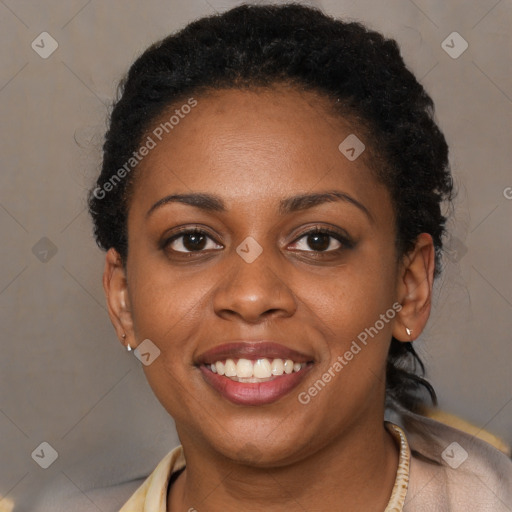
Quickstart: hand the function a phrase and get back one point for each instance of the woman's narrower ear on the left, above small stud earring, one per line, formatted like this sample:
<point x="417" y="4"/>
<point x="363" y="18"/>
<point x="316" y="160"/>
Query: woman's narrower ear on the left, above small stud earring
<point x="116" y="292"/>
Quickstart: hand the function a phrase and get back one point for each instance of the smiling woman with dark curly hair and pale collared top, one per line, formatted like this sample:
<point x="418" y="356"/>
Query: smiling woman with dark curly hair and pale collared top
<point x="270" y="203"/>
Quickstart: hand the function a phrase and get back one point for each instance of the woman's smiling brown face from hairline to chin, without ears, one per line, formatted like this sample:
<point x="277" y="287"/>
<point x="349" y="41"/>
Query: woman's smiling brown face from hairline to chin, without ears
<point x="308" y="275"/>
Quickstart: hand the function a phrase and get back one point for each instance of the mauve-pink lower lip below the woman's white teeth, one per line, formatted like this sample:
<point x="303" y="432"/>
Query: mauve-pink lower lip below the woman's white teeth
<point x="254" y="393"/>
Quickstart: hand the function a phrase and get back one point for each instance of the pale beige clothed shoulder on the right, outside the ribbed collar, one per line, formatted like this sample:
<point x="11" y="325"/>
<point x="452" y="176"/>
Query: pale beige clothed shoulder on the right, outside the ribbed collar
<point x="453" y="471"/>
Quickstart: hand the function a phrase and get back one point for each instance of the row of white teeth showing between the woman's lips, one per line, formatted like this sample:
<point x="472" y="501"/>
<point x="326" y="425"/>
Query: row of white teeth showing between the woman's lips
<point x="245" y="369"/>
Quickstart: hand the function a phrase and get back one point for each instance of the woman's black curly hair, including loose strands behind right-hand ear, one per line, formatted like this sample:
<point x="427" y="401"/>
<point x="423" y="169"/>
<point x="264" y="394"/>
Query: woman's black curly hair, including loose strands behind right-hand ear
<point x="260" y="46"/>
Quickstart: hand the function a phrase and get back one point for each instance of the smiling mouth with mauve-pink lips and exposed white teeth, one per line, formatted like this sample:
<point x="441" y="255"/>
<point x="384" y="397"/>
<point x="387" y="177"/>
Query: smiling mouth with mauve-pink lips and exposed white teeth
<point x="254" y="373"/>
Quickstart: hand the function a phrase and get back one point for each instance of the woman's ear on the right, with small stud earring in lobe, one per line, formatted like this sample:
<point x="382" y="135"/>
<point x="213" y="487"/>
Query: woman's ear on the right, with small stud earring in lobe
<point x="416" y="278"/>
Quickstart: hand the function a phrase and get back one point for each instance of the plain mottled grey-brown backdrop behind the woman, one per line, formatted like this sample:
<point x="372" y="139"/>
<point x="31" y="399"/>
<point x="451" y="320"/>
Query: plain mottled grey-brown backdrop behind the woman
<point x="65" y="379"/>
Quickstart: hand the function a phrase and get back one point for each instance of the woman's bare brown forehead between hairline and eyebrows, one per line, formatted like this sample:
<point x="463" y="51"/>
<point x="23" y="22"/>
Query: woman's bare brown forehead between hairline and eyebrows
<point x="252" y="146"/>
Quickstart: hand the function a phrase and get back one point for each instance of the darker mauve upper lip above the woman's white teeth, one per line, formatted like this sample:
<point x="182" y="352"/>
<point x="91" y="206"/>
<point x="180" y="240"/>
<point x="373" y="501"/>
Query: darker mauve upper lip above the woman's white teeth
<point x="252" y="350"/>
